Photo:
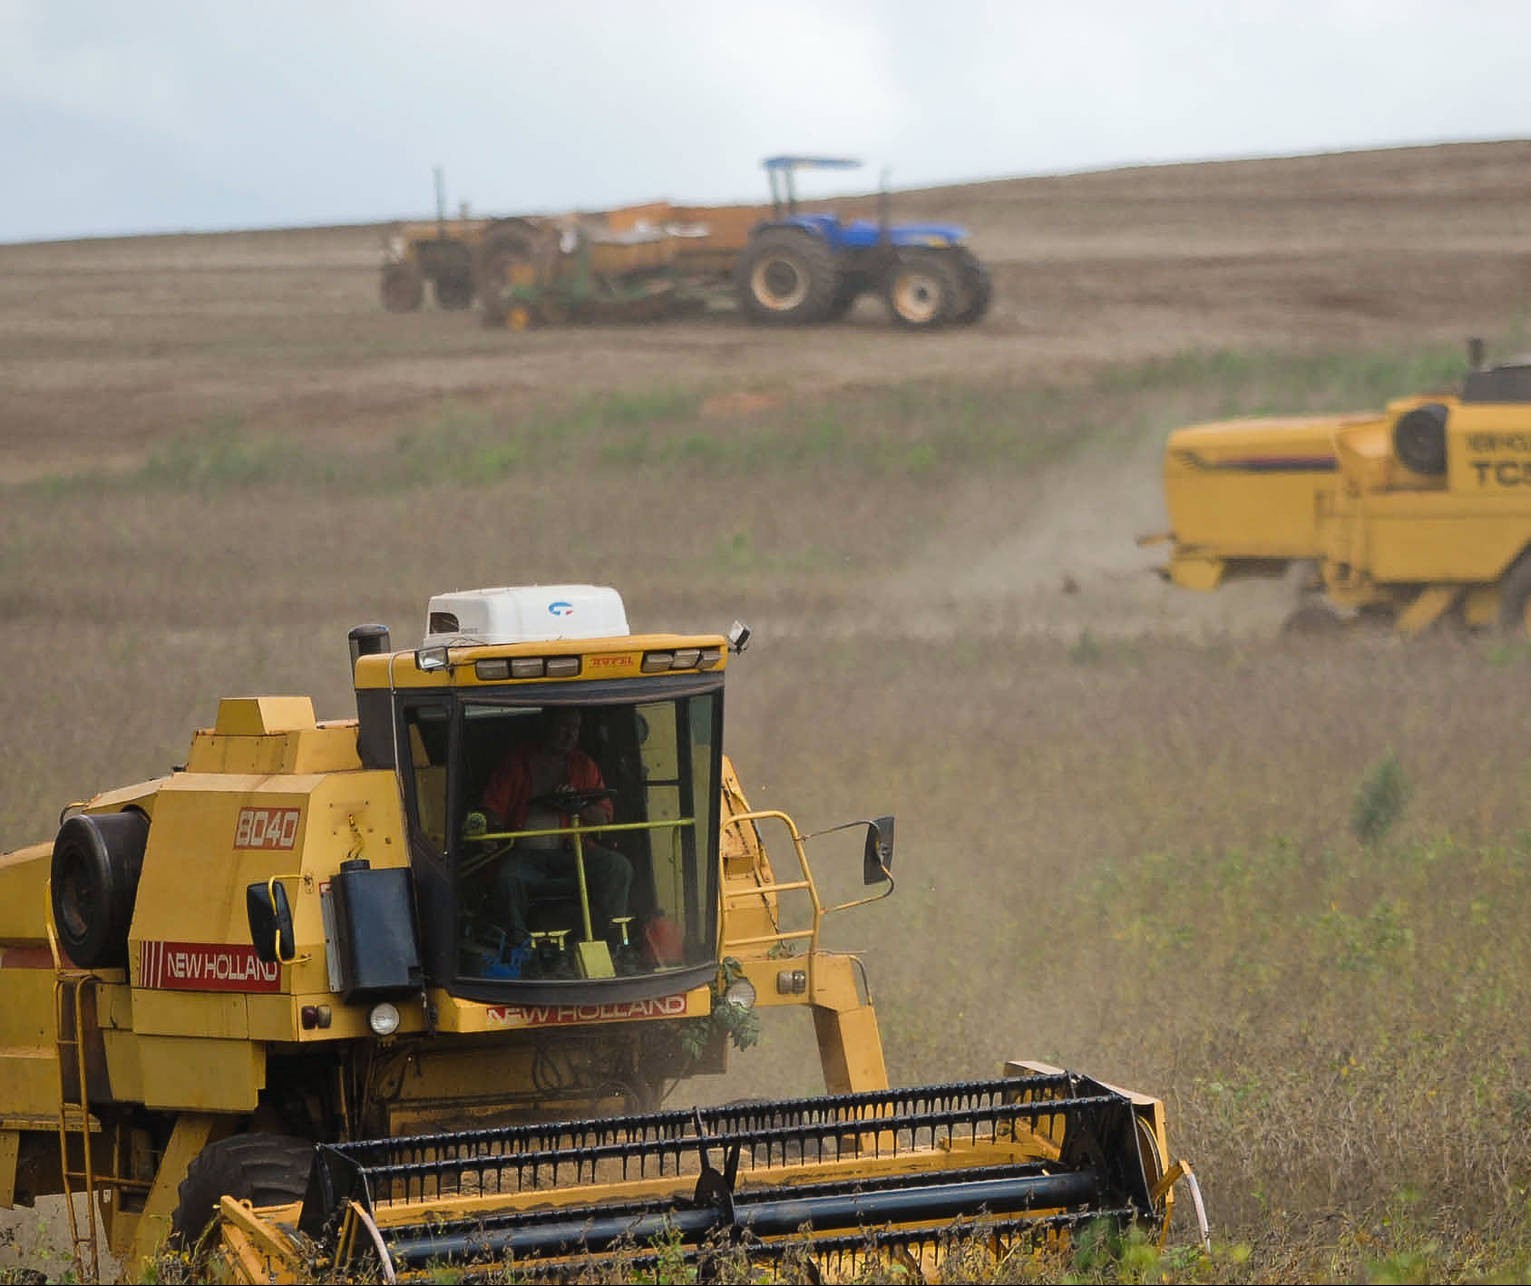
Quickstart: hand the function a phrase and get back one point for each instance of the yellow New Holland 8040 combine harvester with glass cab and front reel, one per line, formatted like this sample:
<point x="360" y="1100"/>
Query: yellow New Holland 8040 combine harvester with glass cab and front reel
<point x="410" y="990"/>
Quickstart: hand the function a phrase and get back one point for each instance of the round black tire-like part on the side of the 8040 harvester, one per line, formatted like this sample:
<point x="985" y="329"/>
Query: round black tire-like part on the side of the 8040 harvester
<point x="94" y="884"/>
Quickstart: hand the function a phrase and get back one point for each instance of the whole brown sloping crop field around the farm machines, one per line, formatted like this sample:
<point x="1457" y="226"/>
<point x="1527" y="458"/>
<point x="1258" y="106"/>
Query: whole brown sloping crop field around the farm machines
<point x="1126" y="815"/>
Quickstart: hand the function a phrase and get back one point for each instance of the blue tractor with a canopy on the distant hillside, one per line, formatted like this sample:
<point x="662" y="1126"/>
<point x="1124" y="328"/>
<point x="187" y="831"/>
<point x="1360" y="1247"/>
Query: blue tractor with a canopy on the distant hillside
<point x="812" y="267"/>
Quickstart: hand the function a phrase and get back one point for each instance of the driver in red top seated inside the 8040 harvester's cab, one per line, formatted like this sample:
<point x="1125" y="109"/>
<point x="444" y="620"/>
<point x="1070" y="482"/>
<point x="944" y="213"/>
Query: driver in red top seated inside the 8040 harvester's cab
<point x="517" y="800"/>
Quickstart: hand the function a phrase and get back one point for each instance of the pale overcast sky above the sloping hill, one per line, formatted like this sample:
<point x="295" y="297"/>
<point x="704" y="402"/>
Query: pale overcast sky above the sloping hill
<point x="152" y="116"/>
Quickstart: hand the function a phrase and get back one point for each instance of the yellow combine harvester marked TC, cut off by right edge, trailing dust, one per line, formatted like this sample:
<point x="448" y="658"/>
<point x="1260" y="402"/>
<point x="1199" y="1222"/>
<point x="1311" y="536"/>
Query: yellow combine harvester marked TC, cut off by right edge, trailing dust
<point x="1420" y="511"/>
